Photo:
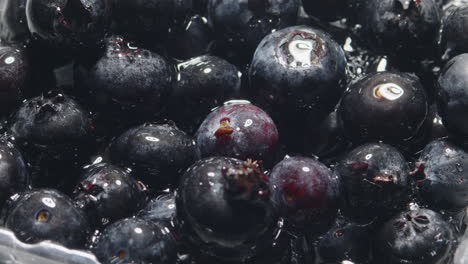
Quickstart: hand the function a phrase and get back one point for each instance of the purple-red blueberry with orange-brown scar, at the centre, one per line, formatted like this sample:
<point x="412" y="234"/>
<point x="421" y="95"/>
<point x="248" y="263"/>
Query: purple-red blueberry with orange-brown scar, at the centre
<point x="240" y="130"/>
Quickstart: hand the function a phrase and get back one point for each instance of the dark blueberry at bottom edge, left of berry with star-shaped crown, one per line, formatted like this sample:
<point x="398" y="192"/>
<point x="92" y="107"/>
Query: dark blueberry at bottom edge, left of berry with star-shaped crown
<point x="346" y="240"/>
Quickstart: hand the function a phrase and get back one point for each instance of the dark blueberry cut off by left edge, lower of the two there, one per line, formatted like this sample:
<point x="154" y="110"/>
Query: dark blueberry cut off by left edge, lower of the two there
<point x="14" y="176"/>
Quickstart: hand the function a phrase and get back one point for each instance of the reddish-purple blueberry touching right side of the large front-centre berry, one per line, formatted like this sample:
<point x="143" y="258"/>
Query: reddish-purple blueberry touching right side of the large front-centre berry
<point x="305" y="192"/>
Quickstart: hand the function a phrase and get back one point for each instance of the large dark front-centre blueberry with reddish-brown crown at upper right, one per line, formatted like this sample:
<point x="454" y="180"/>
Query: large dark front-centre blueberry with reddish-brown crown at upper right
<point x="223" y="205"/>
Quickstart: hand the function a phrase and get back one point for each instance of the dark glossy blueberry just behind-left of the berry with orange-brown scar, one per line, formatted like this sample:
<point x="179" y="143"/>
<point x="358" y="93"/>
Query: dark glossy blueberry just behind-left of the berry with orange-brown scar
<point x="203" y="83"/>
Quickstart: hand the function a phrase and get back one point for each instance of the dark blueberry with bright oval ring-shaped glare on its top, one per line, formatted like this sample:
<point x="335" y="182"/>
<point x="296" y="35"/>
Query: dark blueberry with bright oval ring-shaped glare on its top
<point x="387" y="101"/>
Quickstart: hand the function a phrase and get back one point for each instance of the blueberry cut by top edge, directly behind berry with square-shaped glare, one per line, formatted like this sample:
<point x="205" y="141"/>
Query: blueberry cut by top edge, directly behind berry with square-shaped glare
<point x="243" y="23"/>
